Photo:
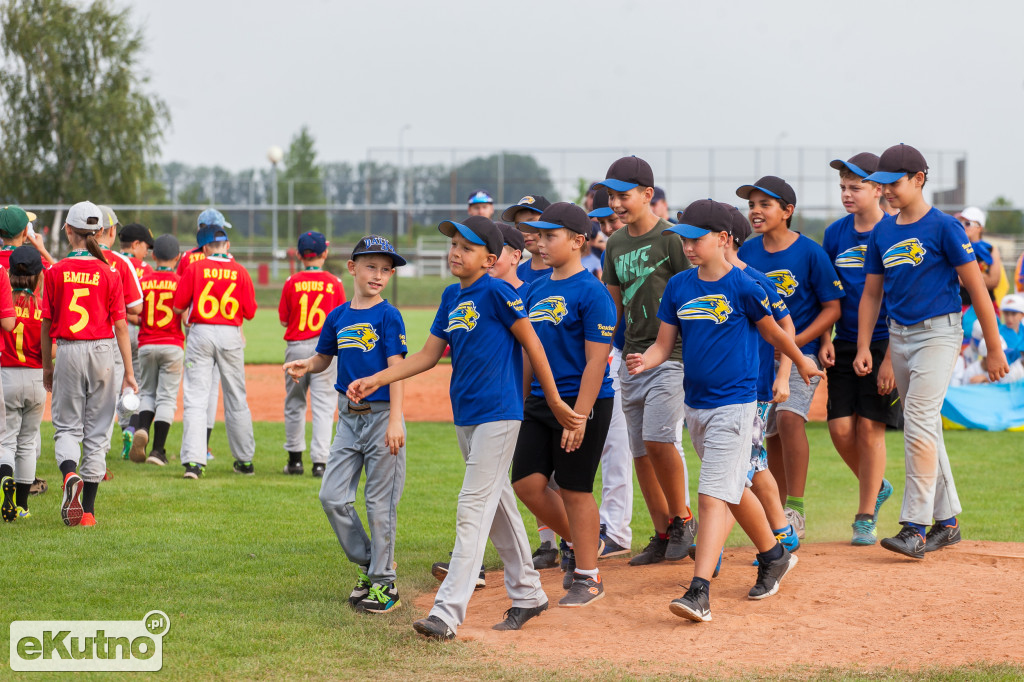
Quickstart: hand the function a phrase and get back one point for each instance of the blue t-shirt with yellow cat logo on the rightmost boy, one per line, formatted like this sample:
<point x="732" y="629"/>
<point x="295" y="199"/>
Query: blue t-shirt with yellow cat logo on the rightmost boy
<point x="919" y="265"/>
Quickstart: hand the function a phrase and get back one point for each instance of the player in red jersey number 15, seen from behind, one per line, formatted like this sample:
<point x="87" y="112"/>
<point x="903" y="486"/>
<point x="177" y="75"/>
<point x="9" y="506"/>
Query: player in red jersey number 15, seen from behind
<point x="161" y="355"/>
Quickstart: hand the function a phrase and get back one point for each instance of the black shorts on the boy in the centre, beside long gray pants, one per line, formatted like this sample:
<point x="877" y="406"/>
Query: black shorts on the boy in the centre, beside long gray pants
<point x="539" y="448"/>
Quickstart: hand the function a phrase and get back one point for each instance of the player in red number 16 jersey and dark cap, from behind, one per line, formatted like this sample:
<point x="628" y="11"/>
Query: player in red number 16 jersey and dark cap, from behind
<point x="307" y="300"/>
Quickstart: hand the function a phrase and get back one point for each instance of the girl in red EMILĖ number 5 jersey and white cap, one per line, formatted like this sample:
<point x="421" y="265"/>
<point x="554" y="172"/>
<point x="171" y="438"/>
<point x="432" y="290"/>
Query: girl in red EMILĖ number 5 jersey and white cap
<point x="84" y="314"/>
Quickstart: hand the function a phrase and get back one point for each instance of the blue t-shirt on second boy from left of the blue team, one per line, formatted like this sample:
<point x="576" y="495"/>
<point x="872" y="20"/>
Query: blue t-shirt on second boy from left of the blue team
<point x="487" y="361"/>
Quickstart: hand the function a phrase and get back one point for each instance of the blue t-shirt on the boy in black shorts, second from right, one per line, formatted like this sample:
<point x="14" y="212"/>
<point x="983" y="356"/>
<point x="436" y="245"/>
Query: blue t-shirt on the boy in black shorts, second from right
<point x="846" y="248"/>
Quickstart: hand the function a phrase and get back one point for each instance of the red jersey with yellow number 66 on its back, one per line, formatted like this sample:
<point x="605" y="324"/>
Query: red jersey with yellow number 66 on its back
<point x="220" y="291"/>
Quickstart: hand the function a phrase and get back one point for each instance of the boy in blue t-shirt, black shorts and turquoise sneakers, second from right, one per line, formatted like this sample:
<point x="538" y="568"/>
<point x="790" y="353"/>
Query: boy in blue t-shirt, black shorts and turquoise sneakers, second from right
<point x="860" y="408"/>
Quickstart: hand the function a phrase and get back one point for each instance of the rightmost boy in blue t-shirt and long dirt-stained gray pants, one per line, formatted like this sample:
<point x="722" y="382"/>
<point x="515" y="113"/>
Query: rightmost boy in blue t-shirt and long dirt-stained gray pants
<point x="916" y="262"/>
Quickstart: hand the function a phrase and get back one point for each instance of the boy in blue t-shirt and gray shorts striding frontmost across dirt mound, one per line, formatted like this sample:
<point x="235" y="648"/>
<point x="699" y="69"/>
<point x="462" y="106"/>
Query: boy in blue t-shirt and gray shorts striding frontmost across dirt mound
<point x="718" y="312"/>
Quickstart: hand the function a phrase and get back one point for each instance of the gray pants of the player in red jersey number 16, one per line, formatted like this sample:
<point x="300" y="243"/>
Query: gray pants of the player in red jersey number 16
<point x="322" y="396"/>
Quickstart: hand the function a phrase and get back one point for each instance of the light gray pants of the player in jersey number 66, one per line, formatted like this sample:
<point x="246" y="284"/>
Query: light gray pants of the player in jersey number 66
<point x="216" y="349"/>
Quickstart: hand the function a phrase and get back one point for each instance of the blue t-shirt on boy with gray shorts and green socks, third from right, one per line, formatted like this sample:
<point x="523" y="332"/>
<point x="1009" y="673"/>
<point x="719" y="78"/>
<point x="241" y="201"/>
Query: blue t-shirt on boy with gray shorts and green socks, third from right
<point x="804" y="278"/>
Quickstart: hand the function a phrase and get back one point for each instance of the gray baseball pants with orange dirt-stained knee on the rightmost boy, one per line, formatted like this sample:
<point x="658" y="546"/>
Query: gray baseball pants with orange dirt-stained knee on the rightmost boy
<point x="923" y="358"/>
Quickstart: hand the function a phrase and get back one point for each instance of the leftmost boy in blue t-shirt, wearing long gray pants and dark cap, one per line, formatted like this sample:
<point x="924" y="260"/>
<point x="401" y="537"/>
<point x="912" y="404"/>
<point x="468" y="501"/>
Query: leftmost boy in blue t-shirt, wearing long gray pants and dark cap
<point x="367" y="335"/>
